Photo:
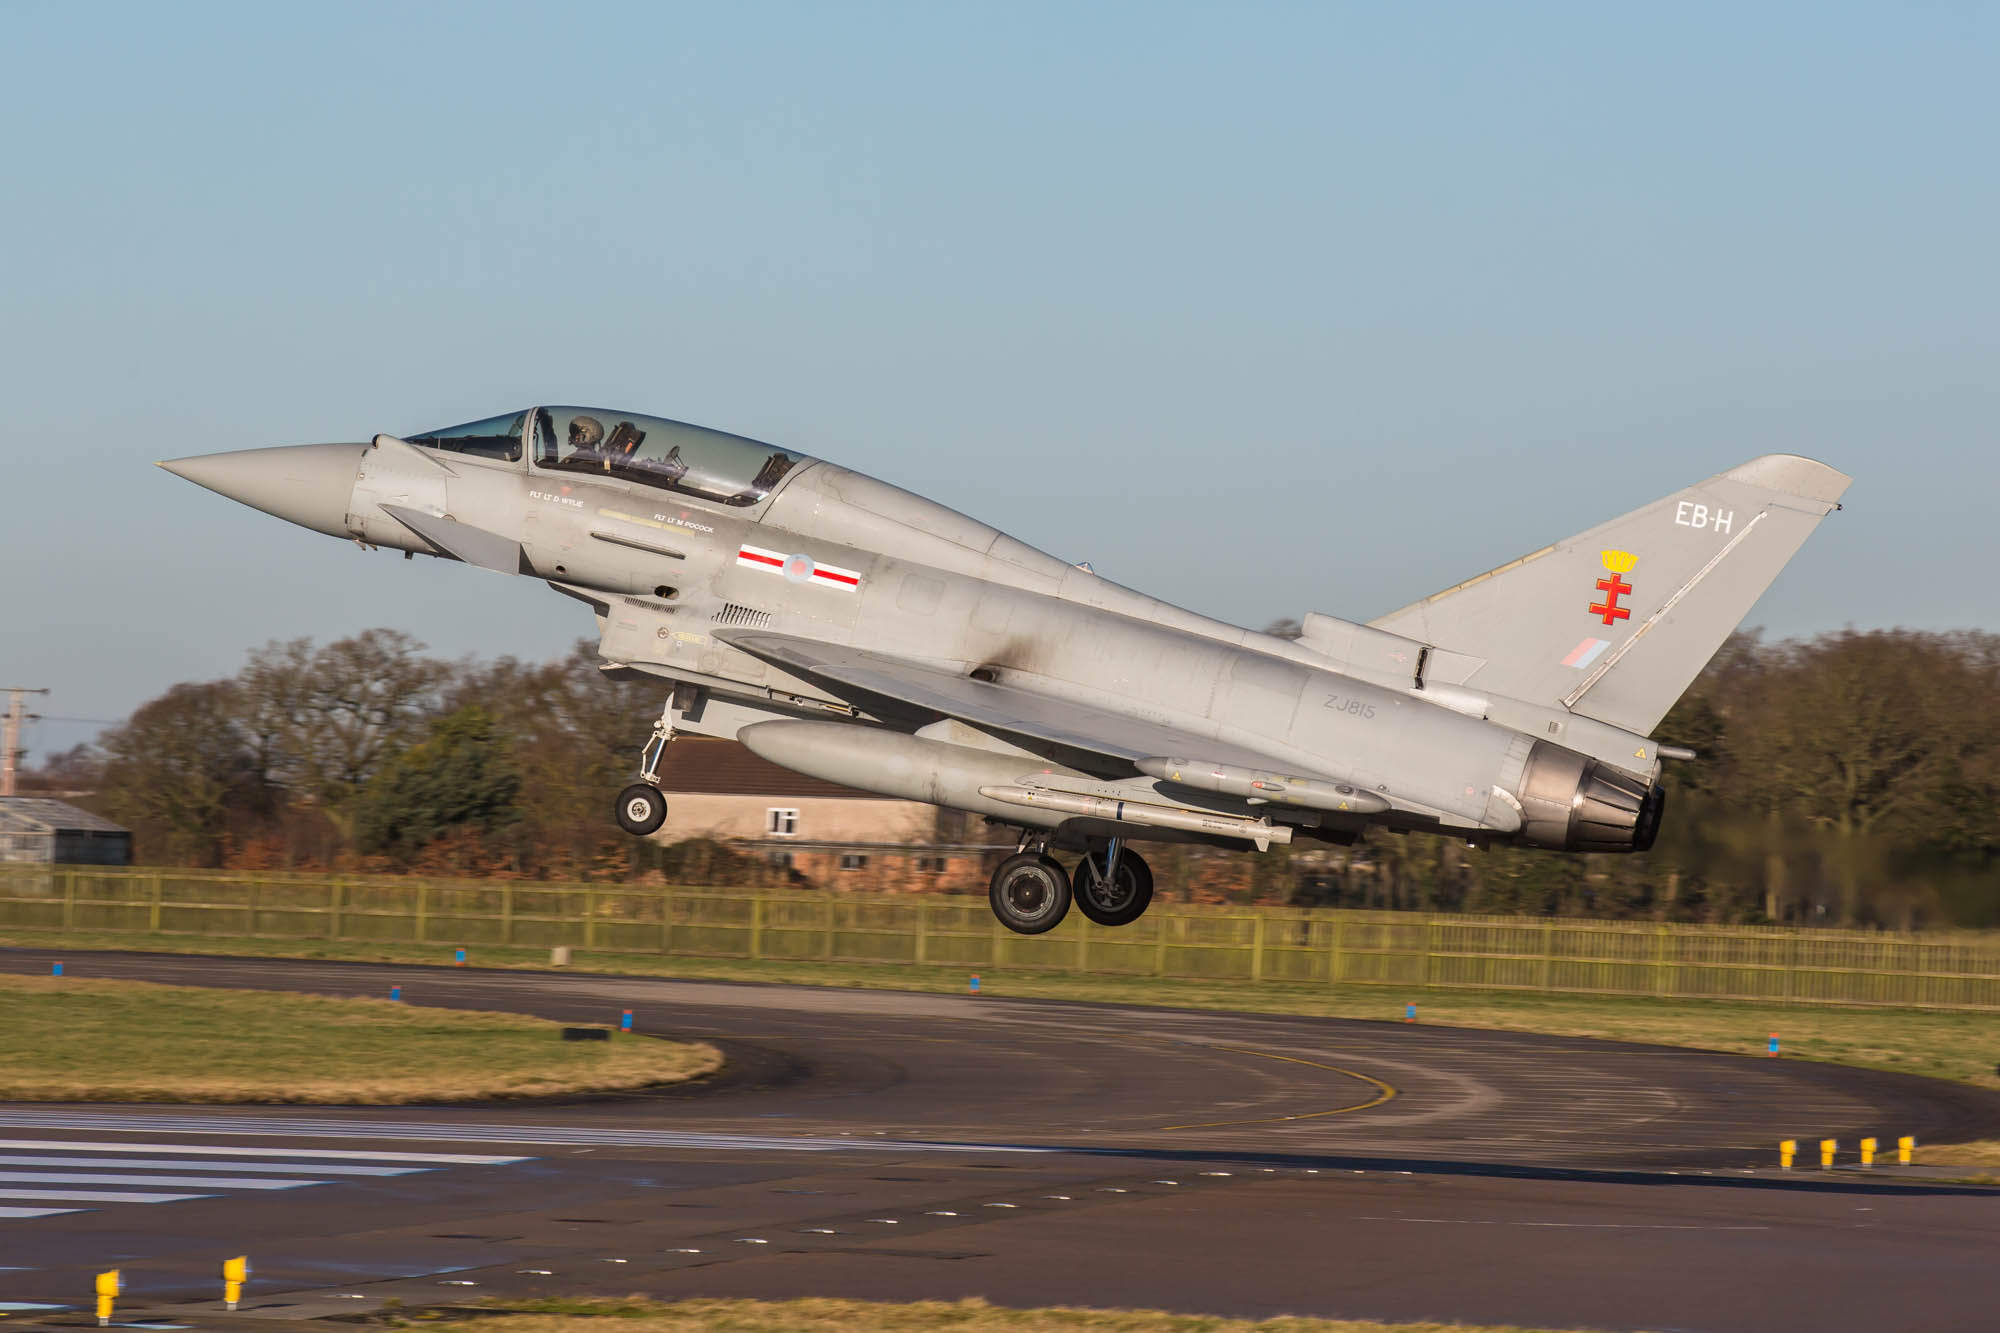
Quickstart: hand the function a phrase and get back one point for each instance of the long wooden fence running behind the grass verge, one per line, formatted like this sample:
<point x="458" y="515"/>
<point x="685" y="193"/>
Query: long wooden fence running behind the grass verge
<point x="1199" y="944"/>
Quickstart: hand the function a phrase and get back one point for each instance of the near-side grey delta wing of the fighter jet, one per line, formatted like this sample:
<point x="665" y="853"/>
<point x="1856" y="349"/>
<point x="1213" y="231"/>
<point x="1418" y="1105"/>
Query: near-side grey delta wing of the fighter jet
<point x="1001" y="710"/>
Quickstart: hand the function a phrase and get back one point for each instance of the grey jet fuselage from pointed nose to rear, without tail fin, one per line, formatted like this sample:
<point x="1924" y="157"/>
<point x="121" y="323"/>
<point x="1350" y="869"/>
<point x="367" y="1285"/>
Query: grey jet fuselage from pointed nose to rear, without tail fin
<point x="671" y="557"/>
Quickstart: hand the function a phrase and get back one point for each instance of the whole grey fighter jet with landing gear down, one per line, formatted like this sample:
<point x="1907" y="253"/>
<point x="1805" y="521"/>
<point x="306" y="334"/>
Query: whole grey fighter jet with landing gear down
<point x="865" y="635"/>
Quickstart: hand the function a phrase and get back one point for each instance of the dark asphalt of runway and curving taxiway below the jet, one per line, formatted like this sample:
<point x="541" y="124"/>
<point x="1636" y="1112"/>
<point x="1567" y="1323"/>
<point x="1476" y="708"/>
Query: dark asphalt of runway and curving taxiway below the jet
<point x="1029" y="1152"/>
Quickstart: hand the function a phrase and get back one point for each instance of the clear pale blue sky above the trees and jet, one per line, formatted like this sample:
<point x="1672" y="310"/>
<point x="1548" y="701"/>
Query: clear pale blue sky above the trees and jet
<point x="1261" y="309"/>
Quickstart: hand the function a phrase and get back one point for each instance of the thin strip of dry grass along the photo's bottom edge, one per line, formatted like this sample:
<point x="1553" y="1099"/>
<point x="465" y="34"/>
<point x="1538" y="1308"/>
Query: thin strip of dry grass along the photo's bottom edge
<point x="829" y="1316"/>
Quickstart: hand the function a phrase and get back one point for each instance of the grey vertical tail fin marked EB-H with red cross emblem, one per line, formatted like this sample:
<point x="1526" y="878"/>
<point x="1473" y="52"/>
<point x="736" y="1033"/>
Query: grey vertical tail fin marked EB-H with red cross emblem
<point x="1615" y="623"/>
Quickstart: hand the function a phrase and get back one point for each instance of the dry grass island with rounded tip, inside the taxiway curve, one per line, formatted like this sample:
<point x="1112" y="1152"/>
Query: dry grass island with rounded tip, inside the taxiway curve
<point x="85" y="1040"/>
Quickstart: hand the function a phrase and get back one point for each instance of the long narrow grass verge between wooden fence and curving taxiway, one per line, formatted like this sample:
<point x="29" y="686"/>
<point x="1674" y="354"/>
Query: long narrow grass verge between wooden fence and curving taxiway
<point x="1921" y="1042"/>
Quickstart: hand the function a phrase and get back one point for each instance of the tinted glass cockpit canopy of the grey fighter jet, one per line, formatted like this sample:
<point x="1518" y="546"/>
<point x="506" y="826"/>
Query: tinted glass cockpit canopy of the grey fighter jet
<point x="653" y="451"/>
